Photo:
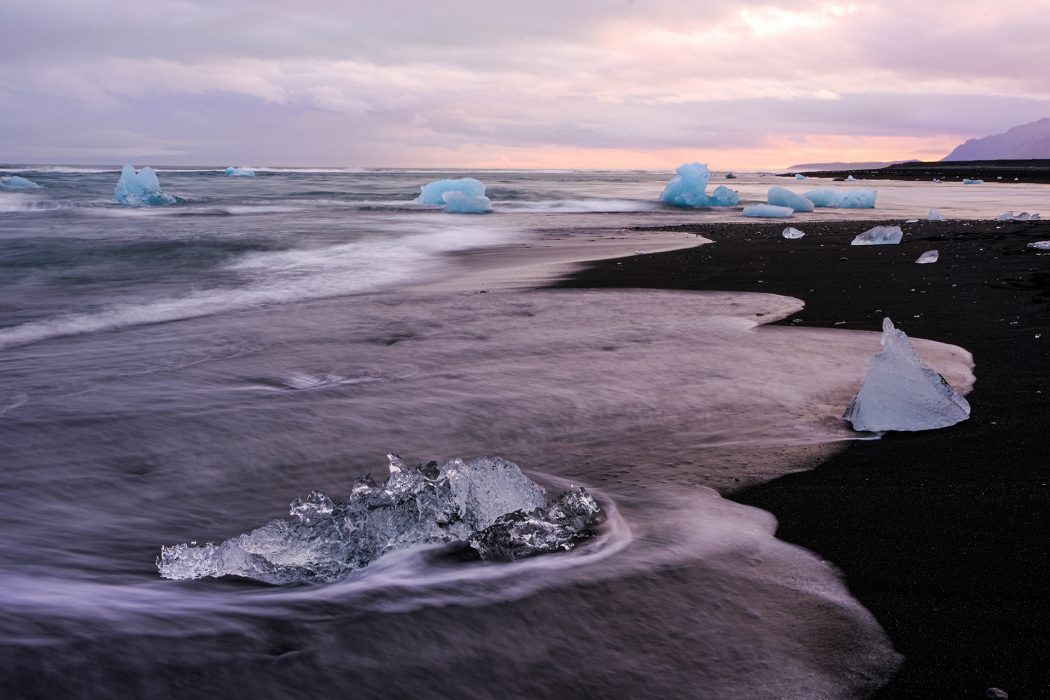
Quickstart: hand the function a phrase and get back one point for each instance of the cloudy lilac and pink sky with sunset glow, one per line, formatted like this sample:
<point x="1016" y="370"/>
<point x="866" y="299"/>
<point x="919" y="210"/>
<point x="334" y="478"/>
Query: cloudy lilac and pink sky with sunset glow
<point x="639" y="84"/>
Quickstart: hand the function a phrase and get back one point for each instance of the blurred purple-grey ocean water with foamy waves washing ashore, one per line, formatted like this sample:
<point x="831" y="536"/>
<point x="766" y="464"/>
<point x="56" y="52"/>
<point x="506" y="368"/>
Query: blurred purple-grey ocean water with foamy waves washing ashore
<point x="183" y="373"/>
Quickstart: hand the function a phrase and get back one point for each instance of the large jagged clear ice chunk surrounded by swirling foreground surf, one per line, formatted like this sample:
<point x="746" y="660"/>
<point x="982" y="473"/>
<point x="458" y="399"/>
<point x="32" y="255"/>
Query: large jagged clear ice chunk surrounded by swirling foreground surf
<point x="487" y="503"/>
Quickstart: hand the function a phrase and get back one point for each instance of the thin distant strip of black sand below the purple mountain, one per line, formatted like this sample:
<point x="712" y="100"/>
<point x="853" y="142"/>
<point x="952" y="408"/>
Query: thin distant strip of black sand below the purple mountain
<point x="991" y="172"/>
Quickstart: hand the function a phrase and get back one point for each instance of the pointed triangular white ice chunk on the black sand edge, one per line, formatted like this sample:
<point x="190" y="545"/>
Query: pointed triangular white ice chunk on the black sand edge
<point x="900" y="393"/>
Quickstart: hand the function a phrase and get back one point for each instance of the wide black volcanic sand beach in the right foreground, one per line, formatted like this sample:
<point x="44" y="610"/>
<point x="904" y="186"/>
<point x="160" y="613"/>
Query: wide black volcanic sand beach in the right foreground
<point x="942" y="535"/>
